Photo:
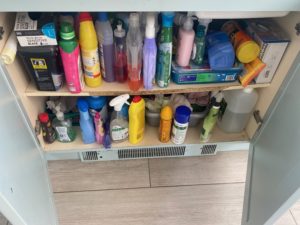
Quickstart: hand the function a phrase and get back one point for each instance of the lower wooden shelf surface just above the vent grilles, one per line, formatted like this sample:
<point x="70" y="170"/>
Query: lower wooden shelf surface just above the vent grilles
<point x="150" y="139"/>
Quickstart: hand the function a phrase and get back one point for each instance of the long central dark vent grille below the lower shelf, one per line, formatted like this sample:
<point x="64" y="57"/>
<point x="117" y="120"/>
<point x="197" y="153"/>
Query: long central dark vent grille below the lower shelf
<point x="151" y="152"/>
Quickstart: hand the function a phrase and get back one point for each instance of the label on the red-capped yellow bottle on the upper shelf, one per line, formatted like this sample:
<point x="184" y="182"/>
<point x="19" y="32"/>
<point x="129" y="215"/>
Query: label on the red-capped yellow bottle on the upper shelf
<point x="91" y="63"/>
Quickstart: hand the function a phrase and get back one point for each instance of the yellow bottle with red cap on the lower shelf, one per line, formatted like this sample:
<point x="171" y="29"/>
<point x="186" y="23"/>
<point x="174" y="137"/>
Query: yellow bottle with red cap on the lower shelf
<point x="136" y="120"/>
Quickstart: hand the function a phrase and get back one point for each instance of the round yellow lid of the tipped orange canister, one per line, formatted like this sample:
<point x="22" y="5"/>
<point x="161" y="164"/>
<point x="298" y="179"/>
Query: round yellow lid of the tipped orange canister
<point x="247" y="51"/>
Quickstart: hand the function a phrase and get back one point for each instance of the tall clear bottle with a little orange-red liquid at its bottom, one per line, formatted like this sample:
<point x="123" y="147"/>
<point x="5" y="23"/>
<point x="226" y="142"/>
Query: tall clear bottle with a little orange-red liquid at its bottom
<point x="134" y="52"/>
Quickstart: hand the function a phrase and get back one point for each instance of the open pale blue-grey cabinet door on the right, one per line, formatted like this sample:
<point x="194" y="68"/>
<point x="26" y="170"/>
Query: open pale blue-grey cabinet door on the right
<point x="273" y="177"/>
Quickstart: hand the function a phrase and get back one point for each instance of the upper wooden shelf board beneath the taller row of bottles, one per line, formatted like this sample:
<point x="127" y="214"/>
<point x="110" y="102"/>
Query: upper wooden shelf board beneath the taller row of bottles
<point x="111" y="89"/>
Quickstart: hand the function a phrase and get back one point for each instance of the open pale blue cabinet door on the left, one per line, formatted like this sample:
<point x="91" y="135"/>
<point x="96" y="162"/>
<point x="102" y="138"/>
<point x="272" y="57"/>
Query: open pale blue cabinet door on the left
<point x="25" y="193"/>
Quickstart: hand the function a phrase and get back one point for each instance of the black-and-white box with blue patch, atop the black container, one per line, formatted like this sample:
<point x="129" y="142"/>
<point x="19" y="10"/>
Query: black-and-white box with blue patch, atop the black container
<point x="39" y="32"/>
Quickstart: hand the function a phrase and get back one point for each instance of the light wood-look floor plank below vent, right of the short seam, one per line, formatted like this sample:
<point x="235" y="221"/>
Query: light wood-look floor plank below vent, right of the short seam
<point x="225" y="167"/>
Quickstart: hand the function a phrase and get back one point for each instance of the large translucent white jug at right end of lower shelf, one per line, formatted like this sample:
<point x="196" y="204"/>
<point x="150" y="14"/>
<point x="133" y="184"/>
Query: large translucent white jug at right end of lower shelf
<point x="239" y="105"/>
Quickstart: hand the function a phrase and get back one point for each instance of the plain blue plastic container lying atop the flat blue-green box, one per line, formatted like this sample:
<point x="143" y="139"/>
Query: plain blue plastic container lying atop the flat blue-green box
<point x="220" y="51"/>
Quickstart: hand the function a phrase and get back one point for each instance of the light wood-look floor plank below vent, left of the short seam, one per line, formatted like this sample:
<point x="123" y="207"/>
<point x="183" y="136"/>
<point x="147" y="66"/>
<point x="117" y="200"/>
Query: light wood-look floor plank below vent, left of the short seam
<point x="73" y="175"/>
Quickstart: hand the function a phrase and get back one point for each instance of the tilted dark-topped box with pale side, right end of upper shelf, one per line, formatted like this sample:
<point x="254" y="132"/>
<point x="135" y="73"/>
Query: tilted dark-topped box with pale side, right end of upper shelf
<point x="273" y="43"/>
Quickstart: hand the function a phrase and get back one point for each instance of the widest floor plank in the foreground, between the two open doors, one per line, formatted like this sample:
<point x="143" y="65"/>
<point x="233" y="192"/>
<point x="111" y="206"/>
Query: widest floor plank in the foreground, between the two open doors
<point x="185" y="205"/>
